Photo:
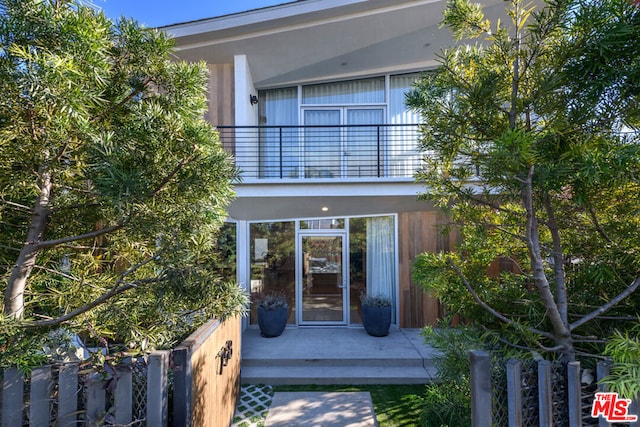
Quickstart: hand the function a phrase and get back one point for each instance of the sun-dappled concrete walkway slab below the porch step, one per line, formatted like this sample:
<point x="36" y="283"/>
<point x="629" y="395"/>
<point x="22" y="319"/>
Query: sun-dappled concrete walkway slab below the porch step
<point x="321" y="409"/>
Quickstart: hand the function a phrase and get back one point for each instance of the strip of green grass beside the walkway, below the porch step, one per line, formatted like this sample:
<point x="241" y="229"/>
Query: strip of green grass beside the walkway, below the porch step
<point x="393" y="404"/>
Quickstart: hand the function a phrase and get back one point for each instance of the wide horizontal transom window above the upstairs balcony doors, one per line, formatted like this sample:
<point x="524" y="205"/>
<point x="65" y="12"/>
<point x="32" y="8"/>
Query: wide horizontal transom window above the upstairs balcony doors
<point x="365" y="91"/>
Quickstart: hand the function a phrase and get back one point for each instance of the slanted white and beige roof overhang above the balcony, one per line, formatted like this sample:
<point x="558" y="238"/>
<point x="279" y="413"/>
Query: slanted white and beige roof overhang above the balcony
<point x="320" y="40"/>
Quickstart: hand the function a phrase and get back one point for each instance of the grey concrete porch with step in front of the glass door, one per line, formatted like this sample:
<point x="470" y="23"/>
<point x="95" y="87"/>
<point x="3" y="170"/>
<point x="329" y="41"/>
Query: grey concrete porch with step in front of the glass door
<point x="336" y="356"/>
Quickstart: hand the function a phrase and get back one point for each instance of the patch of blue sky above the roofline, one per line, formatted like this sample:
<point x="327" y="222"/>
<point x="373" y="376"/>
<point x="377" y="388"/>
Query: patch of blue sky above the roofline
<point x="157" y="13"/>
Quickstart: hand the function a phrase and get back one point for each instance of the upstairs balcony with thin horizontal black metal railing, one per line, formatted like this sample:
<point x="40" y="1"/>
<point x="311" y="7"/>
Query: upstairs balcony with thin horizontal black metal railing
<point x="347" y="152"/>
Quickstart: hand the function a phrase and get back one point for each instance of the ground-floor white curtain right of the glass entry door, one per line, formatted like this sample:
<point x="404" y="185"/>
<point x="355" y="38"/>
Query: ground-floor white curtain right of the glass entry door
<point x="381" y="266"/>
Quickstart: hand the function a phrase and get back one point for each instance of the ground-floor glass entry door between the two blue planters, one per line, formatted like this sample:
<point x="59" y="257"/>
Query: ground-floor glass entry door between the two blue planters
<point x="322" y="280"/>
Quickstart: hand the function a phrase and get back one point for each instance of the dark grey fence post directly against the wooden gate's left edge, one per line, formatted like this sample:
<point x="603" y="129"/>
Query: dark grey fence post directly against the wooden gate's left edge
<point x="181" y="387"/>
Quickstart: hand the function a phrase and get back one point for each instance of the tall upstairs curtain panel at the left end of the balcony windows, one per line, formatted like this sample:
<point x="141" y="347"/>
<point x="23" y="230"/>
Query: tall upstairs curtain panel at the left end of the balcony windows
<point x="279" y="151"/>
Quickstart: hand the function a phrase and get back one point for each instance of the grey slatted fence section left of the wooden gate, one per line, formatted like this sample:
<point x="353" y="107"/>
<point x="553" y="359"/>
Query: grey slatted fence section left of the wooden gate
<point x="131" y="393"/>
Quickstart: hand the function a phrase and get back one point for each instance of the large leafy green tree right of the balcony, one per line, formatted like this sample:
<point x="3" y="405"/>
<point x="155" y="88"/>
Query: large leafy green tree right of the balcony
<point x="531" y="151"/>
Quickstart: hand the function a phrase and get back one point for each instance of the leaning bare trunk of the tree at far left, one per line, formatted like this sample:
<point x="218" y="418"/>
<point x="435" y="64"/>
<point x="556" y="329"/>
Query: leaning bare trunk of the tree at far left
<point x="14" y="295"/>
